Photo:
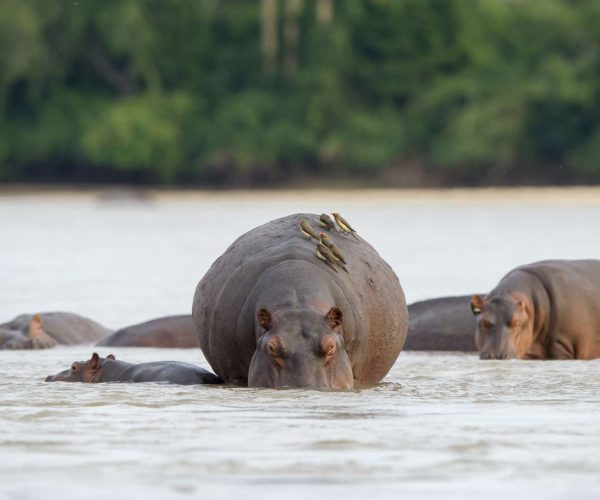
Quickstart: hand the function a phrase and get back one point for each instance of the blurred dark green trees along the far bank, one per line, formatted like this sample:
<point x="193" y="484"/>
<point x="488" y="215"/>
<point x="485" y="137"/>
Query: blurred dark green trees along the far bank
<point x="238" y="92"/>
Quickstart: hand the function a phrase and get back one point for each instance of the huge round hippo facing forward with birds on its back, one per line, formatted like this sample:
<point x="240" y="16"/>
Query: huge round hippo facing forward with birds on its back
<point x="269" y="313"/>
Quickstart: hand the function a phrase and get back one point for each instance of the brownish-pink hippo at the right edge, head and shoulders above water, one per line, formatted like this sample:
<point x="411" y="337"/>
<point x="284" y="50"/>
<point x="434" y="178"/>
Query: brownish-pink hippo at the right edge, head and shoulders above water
<point x="544" y="310"/>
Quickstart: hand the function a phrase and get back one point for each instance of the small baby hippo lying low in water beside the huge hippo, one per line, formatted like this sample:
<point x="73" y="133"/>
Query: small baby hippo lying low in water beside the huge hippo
<point x="108" y="369"/>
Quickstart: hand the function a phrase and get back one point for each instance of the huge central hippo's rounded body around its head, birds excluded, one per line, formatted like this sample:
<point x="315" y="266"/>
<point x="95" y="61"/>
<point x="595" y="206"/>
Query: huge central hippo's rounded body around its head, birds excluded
<point x="370" y="296"/>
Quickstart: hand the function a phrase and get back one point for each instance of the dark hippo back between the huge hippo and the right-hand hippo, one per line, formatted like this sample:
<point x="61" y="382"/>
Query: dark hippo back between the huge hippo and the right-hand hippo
<point x="441" y="324"/>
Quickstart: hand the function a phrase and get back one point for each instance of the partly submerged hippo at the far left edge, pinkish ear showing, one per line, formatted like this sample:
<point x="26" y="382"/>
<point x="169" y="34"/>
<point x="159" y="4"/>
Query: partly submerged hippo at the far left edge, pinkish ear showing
<point x="58" y="327"/>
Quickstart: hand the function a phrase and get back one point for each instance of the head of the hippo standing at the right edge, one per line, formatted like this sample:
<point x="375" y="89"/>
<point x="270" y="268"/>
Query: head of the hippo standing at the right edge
<point x="504" y="326"/>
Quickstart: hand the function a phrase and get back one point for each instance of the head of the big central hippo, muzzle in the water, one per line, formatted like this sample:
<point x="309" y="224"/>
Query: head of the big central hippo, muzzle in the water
<point x="300" y="348"/>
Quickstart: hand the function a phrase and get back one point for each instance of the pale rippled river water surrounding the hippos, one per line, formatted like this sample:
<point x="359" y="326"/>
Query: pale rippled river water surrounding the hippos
<point x="438" y="426"/>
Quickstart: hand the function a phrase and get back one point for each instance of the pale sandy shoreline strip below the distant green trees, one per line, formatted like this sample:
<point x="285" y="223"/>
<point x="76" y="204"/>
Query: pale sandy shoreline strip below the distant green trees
<point x="578" y="195"/>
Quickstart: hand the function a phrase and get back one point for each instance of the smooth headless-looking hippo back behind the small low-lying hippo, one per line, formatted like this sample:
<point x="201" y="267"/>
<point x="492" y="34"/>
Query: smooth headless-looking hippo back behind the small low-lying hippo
<point x="171" y="331"/>
